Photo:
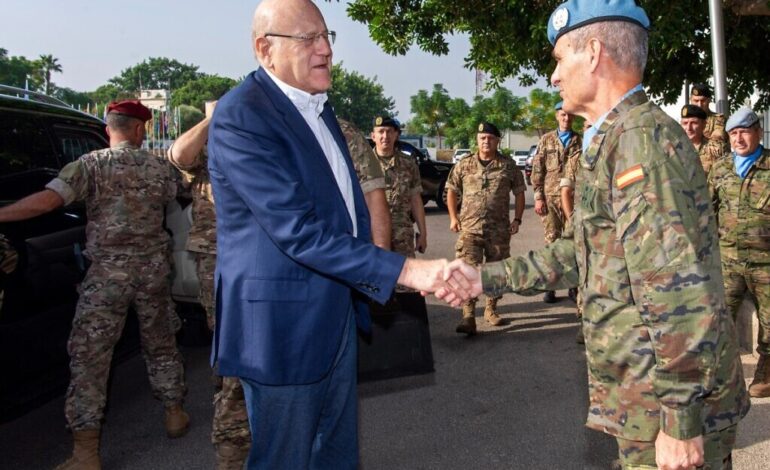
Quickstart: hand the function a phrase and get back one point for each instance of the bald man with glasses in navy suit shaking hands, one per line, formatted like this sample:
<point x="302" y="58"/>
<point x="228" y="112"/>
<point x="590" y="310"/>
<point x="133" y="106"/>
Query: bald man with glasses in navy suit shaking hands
<point x="295" y="265"/>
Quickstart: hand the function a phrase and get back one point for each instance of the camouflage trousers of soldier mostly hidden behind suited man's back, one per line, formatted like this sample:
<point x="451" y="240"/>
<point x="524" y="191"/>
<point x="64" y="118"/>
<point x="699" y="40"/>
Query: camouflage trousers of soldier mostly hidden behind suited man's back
<point x="231" y="422"/>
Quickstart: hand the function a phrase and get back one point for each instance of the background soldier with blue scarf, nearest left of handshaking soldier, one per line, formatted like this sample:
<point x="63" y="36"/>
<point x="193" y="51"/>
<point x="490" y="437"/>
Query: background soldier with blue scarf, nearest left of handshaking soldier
<point x="553" y="151"/>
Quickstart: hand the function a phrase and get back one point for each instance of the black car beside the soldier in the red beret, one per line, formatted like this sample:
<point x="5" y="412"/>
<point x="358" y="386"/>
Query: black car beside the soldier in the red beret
<point x="38" y="136"/>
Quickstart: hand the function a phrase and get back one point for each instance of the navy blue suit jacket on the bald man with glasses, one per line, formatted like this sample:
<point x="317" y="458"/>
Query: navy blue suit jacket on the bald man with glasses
<point x="289" y="269"/>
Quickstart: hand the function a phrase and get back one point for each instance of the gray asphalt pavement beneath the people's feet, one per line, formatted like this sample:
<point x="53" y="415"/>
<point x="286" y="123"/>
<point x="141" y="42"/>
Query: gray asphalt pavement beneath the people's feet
<point x="513" y="397"/>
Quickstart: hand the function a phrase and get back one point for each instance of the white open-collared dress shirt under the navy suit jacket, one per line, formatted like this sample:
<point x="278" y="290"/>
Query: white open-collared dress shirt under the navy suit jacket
<point x="311" y="107"/>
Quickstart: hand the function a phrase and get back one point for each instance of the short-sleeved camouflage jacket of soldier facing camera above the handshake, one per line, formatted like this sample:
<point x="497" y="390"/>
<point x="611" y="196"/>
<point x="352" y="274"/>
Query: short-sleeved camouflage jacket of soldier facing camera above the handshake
<point x="486" y="193"/>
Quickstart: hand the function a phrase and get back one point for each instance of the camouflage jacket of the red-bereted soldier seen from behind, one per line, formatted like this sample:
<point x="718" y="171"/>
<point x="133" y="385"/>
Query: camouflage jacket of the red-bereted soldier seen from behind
<point x="125" y="190"/>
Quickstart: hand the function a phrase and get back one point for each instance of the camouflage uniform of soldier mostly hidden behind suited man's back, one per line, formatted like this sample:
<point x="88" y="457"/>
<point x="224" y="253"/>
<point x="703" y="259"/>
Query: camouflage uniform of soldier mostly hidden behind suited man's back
<point x="230" y="422"/>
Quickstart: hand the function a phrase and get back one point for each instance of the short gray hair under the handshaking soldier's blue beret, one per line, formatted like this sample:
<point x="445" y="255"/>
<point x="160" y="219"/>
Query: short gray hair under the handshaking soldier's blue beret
<point x="625" y="43"/>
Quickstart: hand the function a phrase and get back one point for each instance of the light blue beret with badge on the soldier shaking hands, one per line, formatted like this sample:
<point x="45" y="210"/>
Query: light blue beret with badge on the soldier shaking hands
<point x="573" y="14"/>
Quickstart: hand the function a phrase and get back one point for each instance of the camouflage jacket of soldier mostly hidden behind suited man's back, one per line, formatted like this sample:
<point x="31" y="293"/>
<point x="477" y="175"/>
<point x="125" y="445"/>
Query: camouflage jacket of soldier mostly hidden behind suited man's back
<point x="203" y="233"/>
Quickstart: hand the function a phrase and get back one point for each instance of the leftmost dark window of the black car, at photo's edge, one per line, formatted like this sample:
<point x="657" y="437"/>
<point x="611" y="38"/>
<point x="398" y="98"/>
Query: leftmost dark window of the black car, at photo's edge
<point x="24" y="144"/>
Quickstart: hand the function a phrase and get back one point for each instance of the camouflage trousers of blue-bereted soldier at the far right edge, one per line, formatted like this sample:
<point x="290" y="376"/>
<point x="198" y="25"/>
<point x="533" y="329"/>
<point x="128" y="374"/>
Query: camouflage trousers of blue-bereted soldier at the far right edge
<point x="754" y="279"/>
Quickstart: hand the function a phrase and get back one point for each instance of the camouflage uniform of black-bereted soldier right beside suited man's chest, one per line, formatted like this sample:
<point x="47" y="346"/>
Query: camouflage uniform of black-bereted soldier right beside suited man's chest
<point x="402" y="181"/>
